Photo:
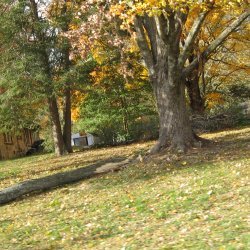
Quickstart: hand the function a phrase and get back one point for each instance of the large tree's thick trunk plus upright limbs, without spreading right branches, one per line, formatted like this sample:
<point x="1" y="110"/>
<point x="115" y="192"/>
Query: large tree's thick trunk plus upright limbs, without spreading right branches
<point x="166" y="74"/>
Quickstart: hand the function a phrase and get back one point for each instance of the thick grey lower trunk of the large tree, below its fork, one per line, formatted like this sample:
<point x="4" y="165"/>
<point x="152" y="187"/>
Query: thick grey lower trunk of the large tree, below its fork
<point x="175" y="128"/>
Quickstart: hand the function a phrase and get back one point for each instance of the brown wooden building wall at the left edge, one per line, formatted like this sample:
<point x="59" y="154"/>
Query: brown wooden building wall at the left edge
<point x="14" y="145"/>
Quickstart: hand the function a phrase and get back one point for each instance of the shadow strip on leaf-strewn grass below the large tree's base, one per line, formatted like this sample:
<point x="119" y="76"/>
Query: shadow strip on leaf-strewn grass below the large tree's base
<point x="217" y="155"/>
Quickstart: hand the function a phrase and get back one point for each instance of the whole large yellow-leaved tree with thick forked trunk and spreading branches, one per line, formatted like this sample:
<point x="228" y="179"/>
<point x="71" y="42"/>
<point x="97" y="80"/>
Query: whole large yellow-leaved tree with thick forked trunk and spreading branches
<point x="159" y="29"/>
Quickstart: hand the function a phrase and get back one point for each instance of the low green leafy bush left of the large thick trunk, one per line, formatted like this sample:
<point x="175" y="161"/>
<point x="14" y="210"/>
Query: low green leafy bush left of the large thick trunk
<point x="118" y="116"/>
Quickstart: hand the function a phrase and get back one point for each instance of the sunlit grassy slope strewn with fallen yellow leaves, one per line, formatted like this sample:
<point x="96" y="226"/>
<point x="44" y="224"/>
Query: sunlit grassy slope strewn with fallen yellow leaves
<point x="197" y="201"/>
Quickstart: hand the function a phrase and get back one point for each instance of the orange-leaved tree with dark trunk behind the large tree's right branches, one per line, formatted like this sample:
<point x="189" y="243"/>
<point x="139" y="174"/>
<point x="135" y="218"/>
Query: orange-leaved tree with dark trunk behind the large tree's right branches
<point x="226" y="63"/>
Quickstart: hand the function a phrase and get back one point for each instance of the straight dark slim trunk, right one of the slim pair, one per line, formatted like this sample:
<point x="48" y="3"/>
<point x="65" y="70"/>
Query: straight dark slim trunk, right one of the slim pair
<point x="67" y="120"/>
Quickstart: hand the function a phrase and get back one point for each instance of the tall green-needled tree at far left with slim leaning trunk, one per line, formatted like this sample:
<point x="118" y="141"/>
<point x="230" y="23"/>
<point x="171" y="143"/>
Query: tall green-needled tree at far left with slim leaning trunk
<point x="37" y="47"/>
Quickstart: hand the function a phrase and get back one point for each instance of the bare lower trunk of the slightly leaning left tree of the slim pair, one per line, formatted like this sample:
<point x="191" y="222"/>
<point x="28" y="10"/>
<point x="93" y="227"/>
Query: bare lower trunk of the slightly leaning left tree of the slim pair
<point x="56" y="125"/>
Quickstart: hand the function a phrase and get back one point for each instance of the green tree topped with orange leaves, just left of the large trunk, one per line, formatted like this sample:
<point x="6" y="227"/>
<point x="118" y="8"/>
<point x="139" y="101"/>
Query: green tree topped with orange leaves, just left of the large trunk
<point x="118" y="108"/>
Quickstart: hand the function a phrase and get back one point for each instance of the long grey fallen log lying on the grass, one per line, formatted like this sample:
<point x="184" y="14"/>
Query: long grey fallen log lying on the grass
<point x="45" y="183"/>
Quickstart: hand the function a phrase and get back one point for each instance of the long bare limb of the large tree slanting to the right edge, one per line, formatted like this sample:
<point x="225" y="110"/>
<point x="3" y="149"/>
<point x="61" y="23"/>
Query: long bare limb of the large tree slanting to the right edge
<point x="218" y="41"/>
